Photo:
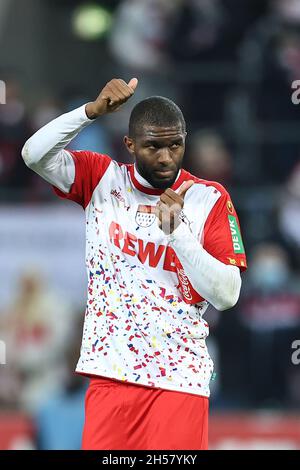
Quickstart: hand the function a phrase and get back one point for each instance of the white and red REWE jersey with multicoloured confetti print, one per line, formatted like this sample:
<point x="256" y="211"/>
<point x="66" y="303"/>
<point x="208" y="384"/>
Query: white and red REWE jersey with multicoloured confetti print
<point x="144" y="320"/>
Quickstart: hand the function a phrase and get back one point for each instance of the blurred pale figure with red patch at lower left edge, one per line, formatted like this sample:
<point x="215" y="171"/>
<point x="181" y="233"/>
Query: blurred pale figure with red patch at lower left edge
<point x="36" y="329"/>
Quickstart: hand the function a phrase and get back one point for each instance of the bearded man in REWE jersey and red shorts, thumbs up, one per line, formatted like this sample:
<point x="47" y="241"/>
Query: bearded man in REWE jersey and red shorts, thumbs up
<point x="161" y="245"/>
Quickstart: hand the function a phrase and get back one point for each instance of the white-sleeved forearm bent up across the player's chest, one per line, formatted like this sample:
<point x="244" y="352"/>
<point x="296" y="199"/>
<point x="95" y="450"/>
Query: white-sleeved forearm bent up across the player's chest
<point x="215" y="281"/>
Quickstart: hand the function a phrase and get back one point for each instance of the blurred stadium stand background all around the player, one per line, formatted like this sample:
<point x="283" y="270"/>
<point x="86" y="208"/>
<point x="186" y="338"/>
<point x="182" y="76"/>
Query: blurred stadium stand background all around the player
<point x="230" y="65"/>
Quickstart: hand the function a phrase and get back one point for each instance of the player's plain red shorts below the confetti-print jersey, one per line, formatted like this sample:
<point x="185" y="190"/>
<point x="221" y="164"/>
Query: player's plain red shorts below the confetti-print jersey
<point x="126" y="416"/>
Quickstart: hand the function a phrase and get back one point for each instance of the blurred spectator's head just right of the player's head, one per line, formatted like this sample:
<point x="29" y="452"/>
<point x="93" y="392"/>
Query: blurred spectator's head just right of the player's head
<point x="209" y="158"/>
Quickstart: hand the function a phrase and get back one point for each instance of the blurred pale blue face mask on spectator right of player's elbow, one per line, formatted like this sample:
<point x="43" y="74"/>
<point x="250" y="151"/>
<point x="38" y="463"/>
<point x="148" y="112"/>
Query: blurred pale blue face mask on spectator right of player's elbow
<point x="270" y="274"/>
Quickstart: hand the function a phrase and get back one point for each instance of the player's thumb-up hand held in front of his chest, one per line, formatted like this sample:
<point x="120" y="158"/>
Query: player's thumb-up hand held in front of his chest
<point x="169" y="207"/>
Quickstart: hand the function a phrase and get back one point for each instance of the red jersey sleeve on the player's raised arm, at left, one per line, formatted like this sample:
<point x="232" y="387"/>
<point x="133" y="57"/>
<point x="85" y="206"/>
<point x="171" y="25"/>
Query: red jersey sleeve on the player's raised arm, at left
<point x="89" y="169"/>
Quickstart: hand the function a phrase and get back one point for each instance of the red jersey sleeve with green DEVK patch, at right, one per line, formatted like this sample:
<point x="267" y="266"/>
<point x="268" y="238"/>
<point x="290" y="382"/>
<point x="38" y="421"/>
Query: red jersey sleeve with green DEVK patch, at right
<point x="222" y="233"/>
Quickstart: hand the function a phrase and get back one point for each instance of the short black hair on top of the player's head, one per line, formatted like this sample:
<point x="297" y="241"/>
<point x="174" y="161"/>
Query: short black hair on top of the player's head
<point x="155" y="111"/>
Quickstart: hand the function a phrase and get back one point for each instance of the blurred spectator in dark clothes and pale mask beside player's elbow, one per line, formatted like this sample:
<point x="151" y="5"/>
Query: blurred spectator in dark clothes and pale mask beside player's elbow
<point x="270" y="310"/>
